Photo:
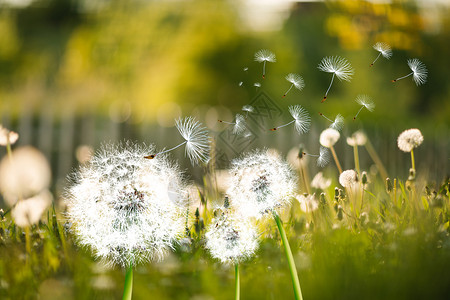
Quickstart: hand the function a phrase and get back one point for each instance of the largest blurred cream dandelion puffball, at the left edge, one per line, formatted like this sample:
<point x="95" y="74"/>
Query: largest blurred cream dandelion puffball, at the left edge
<point x="26" y="175"/>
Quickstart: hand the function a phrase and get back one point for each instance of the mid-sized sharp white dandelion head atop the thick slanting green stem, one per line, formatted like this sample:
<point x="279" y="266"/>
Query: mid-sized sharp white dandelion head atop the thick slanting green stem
<point x="260" y="182"/>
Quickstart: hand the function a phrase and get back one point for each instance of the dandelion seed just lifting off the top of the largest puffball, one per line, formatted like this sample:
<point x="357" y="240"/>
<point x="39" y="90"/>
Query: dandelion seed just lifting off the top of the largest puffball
<point x="196" y="140"/>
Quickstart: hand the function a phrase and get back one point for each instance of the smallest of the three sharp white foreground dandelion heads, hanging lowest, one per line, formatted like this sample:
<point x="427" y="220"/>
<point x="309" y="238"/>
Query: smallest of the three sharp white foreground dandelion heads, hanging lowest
<point x="231" y="240"/>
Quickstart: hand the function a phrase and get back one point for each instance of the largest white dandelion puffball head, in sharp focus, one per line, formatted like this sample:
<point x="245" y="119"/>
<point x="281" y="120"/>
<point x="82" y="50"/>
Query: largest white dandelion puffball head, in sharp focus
<point x="125" y="208"/>
